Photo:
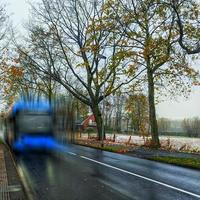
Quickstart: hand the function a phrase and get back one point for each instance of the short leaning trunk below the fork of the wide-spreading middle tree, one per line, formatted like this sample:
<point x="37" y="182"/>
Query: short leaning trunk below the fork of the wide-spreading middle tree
<point x="98" y="117"/>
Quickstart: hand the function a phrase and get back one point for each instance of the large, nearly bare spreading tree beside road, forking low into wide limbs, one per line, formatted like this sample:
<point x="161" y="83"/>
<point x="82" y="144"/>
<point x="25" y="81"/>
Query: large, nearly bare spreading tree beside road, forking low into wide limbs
<point x="89" y="53"/>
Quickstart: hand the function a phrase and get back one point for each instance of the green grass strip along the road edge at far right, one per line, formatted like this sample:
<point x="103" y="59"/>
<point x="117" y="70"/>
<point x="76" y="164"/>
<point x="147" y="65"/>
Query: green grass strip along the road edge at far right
<point x="185" y="162"/>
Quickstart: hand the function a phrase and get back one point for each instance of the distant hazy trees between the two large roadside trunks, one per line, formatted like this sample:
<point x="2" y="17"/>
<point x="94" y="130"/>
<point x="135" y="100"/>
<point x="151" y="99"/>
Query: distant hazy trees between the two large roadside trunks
<point x="127" y="112"/>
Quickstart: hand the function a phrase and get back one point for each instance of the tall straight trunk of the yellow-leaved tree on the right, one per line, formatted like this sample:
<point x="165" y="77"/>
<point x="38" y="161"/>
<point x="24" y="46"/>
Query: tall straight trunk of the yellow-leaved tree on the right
<point x="152" y="111"/>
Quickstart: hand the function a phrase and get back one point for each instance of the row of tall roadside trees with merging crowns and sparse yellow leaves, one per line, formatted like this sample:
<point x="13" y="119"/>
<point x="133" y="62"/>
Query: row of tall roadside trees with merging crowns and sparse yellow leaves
<point x="93" y="49"/>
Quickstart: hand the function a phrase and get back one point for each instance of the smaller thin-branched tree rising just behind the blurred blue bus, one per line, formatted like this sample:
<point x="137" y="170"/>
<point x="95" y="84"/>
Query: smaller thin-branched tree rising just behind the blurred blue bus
<point x="43" y="50"/>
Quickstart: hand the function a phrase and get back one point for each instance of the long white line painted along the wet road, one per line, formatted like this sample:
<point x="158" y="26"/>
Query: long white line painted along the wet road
<point x="143" y="177"/>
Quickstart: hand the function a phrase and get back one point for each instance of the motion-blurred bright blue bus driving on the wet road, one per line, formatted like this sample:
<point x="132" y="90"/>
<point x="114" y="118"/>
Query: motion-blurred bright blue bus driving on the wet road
<point x="29" y="125"/>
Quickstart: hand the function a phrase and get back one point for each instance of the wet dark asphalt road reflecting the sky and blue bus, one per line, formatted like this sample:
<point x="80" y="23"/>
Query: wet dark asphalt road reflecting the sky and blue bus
<point x="81" y="173"/>
